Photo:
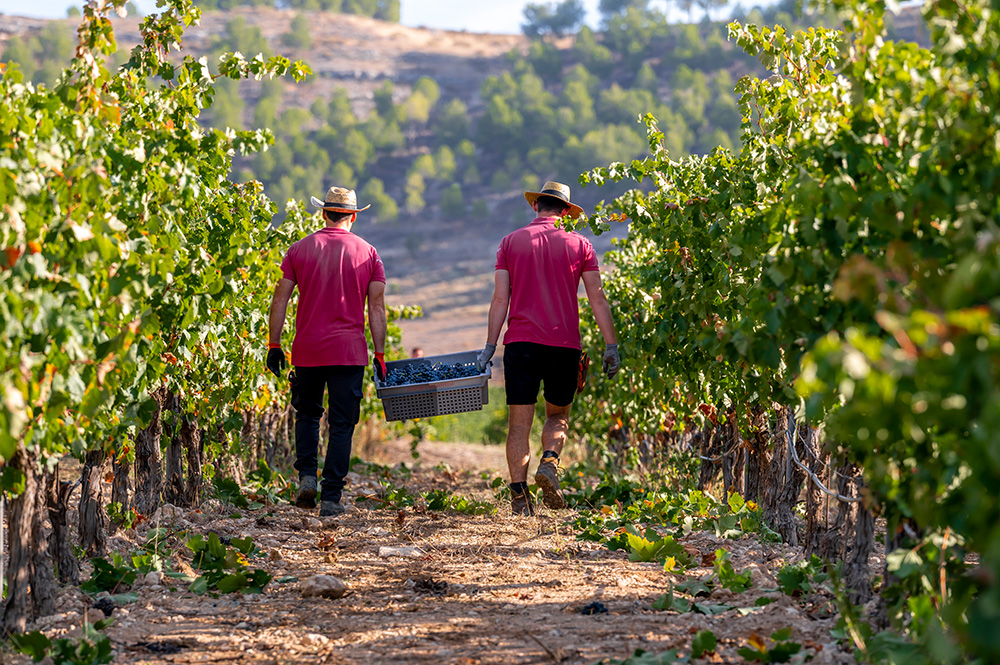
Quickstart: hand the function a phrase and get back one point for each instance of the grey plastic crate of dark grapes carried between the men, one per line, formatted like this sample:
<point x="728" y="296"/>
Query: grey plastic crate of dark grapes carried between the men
<point x="434" y="398"/>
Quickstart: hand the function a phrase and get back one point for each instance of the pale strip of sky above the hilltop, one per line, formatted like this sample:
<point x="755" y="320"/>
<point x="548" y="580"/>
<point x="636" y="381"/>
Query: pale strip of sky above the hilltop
<point x="498" y="16"/>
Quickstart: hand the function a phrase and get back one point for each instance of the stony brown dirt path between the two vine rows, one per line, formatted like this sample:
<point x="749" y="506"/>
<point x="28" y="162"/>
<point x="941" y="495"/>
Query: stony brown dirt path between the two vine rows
<point x="482" y="589"/>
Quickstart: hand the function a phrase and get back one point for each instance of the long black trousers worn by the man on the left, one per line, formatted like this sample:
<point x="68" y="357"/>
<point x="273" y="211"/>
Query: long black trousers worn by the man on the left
<point x="344" y="384"/>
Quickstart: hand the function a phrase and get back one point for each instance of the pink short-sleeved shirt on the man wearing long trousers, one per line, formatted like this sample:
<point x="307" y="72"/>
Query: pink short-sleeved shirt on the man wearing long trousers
<point x="332" y="268"/>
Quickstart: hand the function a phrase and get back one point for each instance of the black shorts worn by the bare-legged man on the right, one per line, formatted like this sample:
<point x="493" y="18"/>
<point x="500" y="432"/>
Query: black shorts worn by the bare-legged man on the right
<point x="526" y="365"/>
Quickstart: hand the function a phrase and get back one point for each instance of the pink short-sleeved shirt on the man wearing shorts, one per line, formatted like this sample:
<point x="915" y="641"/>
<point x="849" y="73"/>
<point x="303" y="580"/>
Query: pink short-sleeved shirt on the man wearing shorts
<point x="545" y="266"/>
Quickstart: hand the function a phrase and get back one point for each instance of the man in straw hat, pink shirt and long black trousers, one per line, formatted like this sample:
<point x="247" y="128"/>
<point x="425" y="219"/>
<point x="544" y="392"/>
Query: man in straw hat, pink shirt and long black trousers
<point x="335" y="272"/>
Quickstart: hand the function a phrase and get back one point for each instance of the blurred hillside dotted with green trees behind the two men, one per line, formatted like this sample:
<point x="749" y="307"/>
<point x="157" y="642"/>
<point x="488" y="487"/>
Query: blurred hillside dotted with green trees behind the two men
<point x="443" y="130"/>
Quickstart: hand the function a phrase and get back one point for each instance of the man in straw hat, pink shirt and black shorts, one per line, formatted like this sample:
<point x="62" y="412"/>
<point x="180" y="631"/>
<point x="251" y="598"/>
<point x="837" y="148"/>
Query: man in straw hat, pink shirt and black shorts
<point x="538" y="273"/>
